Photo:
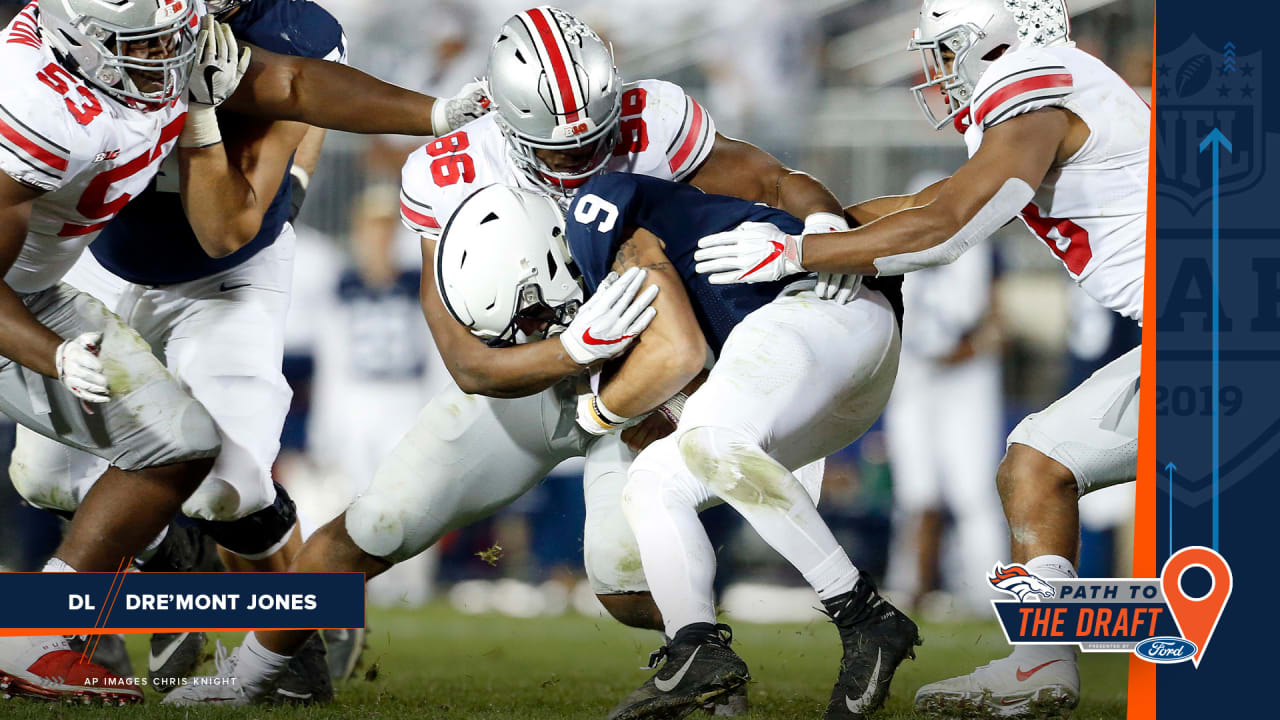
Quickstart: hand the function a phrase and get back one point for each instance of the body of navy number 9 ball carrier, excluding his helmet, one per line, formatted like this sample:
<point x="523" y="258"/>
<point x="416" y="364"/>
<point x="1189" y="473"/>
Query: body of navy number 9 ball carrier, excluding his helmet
<point x="797" y="379"/>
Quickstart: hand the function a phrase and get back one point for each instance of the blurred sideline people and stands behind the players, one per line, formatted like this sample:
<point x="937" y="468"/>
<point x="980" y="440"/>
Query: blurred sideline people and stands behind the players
<point x="822" y="85"/>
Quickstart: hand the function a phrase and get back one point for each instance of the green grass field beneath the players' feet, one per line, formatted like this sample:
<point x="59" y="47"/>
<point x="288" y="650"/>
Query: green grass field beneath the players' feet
<point x="440" y="664"/>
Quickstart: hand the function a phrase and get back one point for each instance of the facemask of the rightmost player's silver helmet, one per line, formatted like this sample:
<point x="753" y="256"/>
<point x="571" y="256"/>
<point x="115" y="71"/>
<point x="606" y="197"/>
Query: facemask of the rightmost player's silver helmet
<point x="956" y="78"/>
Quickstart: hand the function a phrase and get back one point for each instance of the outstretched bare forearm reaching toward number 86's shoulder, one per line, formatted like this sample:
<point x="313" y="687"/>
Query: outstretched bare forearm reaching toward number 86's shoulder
<point x="322" y="94"/>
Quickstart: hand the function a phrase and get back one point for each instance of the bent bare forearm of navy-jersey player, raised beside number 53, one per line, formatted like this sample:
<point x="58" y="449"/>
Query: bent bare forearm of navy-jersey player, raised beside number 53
<point x="222" y="207"/>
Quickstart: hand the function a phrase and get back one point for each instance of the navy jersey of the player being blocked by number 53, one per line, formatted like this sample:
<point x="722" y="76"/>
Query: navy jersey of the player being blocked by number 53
<point x="150" y="241"/>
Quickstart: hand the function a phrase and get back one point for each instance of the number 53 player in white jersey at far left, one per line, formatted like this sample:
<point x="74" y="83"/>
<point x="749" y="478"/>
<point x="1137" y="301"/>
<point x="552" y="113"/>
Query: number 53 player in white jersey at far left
<point x="95" y="97"/>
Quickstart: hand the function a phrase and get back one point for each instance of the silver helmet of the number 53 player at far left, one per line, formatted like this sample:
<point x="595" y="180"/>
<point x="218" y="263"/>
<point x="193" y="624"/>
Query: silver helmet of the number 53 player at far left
<point x="136" y="51"/>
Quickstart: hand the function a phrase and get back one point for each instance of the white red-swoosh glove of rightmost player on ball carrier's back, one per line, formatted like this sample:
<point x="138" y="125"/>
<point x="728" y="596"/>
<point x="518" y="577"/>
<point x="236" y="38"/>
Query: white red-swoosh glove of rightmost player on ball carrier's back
<point x="752" y="253"/>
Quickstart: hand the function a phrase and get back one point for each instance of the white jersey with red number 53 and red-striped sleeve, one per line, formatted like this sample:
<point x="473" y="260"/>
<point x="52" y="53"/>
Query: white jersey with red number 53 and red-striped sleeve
<point x="88" y="151"/>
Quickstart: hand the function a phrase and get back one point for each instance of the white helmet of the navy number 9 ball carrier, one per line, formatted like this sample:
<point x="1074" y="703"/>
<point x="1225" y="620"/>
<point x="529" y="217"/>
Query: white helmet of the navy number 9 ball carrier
<point x="504" y="268"/>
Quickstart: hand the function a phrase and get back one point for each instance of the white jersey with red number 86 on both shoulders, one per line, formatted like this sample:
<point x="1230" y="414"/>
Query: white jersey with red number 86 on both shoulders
<point x="665" y="135"/>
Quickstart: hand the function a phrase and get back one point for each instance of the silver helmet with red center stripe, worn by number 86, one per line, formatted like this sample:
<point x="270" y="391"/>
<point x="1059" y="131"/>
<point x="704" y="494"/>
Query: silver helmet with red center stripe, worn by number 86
<point x="556" y="88"/>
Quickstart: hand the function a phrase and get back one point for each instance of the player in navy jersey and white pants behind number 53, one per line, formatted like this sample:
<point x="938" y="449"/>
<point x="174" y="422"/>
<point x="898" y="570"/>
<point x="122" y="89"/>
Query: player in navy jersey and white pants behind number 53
<point x="211" y="300"/>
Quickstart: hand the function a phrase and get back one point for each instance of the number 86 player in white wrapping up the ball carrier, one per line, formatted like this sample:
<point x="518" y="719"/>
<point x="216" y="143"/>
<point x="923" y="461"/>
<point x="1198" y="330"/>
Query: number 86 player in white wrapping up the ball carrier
<point x="510" y="416"/>
